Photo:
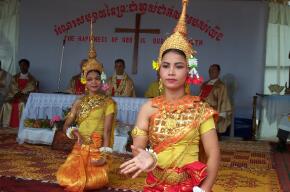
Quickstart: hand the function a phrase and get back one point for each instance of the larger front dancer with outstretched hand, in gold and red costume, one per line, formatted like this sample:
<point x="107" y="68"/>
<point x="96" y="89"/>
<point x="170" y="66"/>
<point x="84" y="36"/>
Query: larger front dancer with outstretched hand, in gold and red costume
<point x="175" y="125"/>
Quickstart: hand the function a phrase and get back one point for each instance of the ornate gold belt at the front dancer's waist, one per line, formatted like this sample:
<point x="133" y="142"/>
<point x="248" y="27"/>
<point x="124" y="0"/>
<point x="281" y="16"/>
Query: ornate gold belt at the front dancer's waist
<point x="170" y="176"/>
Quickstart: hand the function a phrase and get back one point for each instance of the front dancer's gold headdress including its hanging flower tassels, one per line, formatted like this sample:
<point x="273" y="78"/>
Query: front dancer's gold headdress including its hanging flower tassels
<point x="179" y="40"/>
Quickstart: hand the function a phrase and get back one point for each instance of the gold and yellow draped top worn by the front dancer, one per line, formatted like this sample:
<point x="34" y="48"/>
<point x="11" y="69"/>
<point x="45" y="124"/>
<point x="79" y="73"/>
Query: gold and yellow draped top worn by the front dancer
<point x="175" y="129"/>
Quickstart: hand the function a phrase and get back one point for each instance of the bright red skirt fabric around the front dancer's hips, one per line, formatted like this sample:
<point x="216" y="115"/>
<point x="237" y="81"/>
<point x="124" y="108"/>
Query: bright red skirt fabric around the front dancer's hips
<point x="196" y="170"/>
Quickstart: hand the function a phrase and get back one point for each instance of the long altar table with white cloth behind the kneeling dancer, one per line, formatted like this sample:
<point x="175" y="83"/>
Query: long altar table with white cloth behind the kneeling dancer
<point x="44" y="105"/>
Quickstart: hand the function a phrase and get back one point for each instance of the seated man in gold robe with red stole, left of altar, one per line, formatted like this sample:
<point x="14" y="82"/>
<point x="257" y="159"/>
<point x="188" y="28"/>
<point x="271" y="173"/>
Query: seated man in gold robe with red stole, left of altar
<point x="21" y="85"/>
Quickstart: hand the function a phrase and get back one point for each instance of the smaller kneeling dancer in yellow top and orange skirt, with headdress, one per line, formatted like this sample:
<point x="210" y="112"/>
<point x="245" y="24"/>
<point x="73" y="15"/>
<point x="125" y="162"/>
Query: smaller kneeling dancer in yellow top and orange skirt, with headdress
<point x="86" y="168"/>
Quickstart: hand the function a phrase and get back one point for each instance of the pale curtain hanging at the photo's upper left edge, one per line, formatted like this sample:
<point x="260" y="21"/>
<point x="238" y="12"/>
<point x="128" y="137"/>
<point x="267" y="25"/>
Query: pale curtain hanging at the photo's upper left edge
<point x="9" y="33"/>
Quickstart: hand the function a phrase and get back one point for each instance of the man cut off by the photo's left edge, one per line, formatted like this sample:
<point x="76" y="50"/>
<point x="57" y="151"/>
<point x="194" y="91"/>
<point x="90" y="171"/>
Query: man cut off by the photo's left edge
<point x="5" y="79"/>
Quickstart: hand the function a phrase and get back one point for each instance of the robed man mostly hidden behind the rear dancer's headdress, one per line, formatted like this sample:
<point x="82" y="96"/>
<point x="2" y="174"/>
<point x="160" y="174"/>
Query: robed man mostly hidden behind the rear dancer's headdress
<point x="76" y="87"/>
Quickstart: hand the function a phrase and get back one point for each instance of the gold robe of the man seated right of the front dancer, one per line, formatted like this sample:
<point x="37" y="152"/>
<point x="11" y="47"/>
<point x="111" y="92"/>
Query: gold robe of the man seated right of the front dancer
<point x="219" y="100"/>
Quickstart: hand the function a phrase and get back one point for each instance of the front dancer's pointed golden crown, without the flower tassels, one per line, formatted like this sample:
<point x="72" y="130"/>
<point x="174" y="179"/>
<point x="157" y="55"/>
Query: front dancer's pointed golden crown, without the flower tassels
<point x="178" y="40"/>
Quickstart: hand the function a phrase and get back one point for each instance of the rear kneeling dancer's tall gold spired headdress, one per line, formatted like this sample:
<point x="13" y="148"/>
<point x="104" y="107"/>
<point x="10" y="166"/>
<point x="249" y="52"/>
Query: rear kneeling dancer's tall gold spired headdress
<point x="93" y="63"/>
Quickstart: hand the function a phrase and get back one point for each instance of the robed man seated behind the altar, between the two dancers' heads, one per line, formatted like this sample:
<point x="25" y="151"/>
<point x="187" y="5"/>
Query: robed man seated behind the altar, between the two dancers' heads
<point x="121" y="85"/>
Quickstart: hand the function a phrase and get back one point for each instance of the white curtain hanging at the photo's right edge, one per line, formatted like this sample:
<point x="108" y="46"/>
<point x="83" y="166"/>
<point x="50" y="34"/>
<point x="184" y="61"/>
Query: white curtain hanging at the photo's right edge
<point x="278" y="46"/>
